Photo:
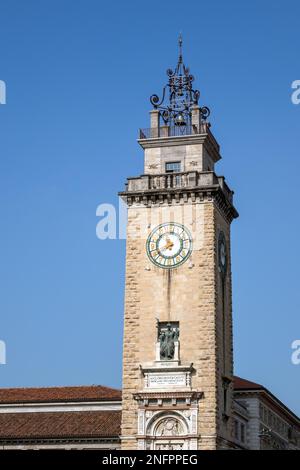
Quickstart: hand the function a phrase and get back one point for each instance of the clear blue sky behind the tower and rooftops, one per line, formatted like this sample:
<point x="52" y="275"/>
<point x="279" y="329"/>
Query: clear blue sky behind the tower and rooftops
<point x="79" y="76"/>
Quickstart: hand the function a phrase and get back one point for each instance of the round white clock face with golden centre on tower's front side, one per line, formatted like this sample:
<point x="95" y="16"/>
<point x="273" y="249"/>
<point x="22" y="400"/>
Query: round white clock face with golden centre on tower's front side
<point x="169" y="245"/>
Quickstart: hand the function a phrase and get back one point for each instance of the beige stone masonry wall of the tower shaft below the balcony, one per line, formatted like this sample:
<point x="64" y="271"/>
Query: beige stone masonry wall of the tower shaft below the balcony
<point x="188" y="294"/>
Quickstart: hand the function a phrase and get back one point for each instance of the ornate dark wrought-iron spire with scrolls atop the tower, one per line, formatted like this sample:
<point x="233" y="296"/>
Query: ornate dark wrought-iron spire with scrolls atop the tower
<point x="182" y="96"/>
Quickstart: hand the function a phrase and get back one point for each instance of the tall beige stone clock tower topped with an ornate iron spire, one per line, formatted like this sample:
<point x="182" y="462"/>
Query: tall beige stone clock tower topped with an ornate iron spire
<point x="177" y="356"/>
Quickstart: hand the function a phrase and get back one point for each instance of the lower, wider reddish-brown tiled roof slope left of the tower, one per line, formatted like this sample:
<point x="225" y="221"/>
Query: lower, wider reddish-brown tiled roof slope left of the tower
<point x="73" y="424"/>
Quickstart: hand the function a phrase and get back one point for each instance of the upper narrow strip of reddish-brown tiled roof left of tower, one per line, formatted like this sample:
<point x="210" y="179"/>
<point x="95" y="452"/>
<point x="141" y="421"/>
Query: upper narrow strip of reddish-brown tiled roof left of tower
<point x="59" y="394"/>
